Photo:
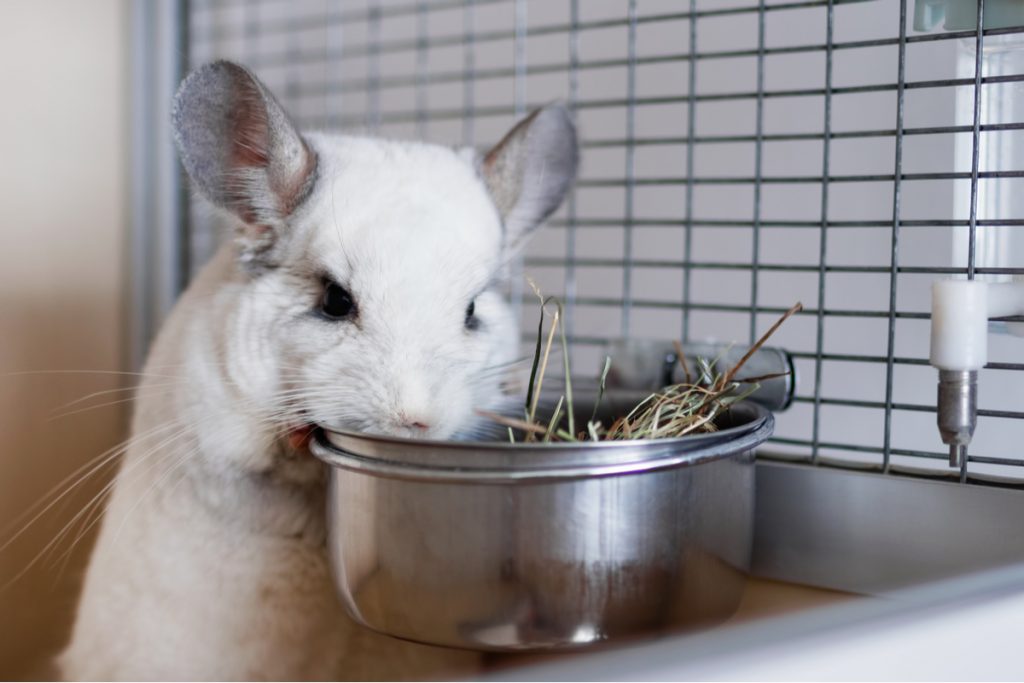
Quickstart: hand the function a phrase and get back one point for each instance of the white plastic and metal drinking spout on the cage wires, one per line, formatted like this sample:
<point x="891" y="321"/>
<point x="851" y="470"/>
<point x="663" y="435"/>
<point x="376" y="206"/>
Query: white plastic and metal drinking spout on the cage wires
<point x="961" y="311"/>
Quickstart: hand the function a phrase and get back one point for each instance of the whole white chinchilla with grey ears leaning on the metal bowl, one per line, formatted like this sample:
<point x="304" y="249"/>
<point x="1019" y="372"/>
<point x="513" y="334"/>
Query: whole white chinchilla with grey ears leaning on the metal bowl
<point x="360" y="294"/>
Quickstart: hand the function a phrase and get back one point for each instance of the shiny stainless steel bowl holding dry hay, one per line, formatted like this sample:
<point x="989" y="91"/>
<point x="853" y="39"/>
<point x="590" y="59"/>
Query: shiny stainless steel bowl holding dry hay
<point x="514" y="547"/>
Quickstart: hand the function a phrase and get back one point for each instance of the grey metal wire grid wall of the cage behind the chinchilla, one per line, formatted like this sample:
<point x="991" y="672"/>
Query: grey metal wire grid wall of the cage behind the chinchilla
<point x="391" y="67"/>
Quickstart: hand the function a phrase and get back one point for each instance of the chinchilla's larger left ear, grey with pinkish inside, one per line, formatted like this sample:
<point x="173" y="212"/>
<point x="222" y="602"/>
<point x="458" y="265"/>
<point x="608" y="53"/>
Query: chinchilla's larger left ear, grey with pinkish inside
<point x="242" y="151"/>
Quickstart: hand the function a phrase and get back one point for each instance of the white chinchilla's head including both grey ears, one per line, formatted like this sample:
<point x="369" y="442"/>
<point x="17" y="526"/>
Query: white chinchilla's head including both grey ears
<point x="366" y="295"/>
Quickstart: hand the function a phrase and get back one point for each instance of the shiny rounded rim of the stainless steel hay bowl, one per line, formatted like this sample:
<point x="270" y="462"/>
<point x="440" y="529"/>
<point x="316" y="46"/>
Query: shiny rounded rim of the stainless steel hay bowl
<point x="501" y="462"/>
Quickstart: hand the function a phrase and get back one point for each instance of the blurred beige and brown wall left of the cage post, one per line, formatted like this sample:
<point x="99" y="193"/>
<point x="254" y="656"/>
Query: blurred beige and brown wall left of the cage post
<point x="63" y="197"/>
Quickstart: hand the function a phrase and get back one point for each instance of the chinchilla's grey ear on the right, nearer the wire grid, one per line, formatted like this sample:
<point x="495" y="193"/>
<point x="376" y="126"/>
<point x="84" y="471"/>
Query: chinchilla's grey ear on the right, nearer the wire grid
<point x="530" y="173"/>
